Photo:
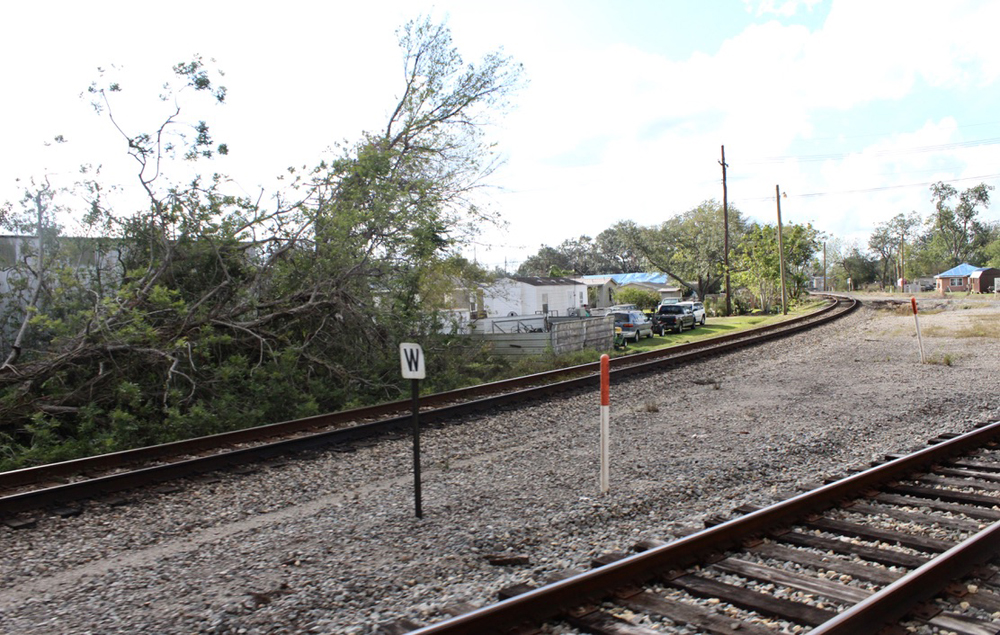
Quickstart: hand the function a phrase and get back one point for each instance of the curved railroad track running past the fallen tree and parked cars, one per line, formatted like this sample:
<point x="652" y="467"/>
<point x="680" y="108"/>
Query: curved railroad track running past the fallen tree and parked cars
<point x="63" y="486"/>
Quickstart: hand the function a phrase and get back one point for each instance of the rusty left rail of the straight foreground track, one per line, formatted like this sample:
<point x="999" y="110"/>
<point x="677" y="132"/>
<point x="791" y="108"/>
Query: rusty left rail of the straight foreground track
<point x="549" y="601"/>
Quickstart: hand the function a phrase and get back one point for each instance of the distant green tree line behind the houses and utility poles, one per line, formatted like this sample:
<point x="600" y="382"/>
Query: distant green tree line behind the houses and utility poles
<point x="688" y="247"/>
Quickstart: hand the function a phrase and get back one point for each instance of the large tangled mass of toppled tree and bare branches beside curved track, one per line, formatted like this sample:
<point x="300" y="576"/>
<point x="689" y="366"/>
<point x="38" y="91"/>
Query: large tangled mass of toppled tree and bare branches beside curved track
<point x="229" y="310"/>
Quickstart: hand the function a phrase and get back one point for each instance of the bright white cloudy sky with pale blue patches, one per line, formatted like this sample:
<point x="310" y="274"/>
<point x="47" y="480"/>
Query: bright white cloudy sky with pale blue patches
<point x="852" y="109"/>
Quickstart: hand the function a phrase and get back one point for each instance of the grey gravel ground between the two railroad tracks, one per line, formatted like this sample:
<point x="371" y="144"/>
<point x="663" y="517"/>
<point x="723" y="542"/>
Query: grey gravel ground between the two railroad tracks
<point x="330" y="544"/>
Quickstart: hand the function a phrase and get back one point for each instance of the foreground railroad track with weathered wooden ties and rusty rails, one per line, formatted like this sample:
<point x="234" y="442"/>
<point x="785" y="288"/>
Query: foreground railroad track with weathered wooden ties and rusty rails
<point x="906" y="546"/>
